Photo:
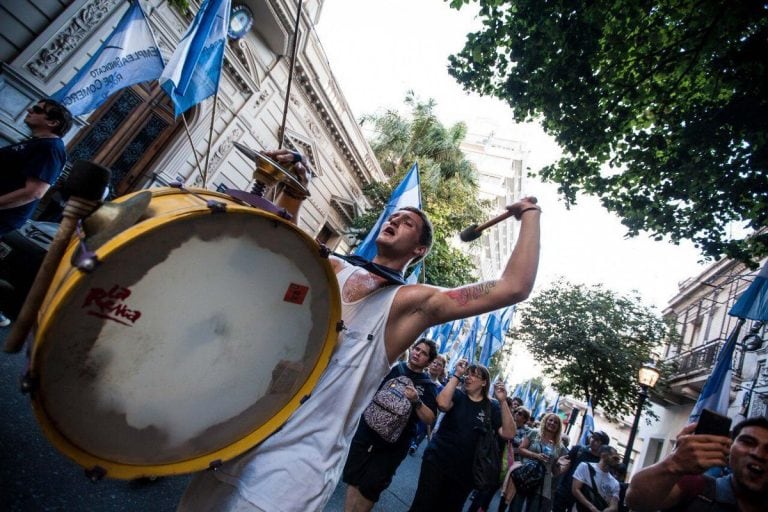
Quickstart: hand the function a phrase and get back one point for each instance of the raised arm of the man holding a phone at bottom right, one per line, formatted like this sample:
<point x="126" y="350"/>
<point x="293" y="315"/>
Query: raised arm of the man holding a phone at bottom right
<point x="656" y="487"/>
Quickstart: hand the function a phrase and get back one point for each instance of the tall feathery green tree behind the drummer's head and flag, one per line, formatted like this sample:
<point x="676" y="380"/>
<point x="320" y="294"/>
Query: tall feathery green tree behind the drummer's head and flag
<point x="448" y="182"/>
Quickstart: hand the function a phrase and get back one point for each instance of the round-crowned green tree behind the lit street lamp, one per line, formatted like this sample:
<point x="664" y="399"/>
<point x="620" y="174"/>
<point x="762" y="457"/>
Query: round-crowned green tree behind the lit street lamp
<point x="590" y="342"/>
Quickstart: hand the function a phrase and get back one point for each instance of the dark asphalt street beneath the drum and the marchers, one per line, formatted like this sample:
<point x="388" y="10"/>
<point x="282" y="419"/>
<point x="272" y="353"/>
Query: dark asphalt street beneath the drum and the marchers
<point x="34" y="476"/>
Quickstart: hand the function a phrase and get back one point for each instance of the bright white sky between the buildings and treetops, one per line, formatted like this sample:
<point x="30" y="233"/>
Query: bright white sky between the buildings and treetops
<point x="379" y="49"/>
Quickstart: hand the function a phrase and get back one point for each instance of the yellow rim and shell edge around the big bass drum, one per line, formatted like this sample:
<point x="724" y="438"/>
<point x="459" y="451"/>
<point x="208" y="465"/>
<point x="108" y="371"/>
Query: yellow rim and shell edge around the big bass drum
<point x="119" y="470"/>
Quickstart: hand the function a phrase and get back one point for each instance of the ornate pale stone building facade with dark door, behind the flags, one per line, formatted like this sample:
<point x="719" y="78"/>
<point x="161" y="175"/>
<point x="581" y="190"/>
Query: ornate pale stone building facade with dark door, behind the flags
<point x="134" y="133"/>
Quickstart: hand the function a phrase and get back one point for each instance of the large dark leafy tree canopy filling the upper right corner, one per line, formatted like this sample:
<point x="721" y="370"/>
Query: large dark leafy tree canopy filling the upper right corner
<point x="659" y="106"/>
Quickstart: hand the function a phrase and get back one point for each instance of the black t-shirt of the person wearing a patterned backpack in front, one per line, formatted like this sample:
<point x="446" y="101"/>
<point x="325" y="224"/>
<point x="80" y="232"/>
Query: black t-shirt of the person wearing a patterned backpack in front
<point x="427" y="394"/>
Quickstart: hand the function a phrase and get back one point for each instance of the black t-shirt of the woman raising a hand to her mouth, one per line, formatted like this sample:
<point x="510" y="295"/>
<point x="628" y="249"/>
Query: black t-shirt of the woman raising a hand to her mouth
<point x="453" y="446"/>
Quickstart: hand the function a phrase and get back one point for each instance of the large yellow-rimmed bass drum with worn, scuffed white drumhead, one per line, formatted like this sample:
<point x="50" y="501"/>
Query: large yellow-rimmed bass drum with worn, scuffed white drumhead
<point x="195" y="337"/>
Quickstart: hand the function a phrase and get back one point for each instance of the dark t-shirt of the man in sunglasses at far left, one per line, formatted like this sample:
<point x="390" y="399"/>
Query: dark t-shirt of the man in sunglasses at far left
<point x="42" y="159"/>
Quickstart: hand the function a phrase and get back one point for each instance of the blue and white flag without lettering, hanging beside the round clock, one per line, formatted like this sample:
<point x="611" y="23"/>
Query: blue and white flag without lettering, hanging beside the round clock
<point x="193" y="72"/>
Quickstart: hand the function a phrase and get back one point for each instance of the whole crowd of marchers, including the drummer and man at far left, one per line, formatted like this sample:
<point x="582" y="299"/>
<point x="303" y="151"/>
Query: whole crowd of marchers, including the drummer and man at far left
<point x="368" y="411"/>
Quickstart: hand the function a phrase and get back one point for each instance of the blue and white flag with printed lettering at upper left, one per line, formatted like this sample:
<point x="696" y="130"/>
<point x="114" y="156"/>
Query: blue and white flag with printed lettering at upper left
<point x="128" y="56"/>
